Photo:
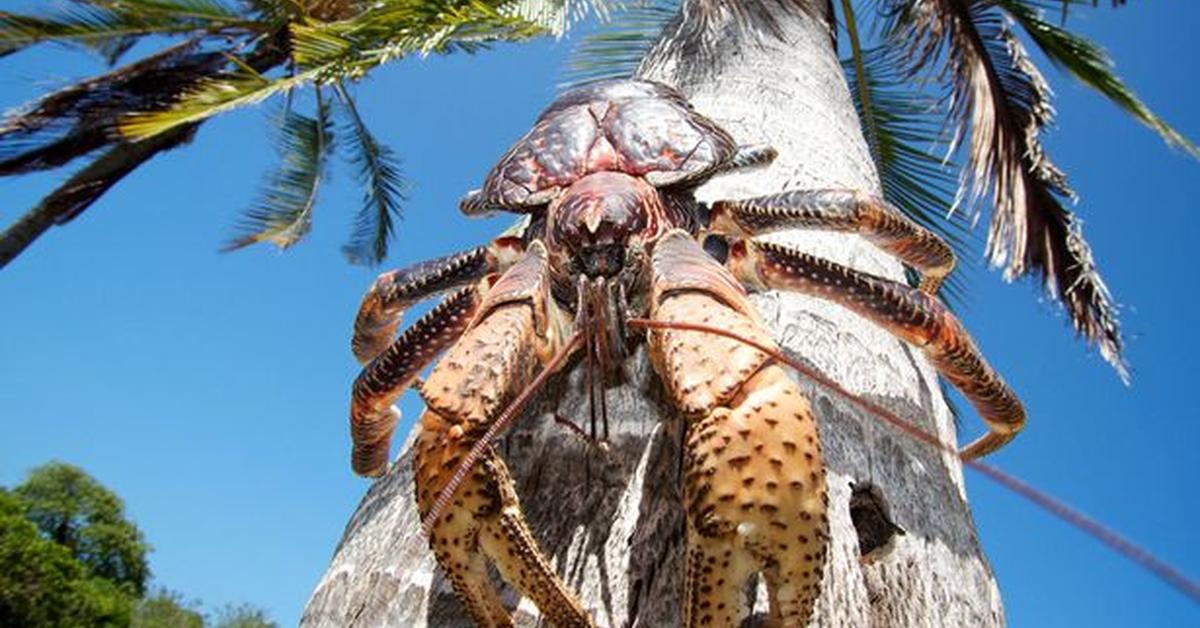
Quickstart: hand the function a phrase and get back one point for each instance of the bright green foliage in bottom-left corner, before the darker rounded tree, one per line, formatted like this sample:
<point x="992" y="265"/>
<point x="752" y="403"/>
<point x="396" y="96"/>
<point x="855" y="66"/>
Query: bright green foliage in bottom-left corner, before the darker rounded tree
<point x="44" y="585"/>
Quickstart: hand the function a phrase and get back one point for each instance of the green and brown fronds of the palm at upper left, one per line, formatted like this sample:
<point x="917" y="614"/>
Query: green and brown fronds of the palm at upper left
<point x="220" y="56"/>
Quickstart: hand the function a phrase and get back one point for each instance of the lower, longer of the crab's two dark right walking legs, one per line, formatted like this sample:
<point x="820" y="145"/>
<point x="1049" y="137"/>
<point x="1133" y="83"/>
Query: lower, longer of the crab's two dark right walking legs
<point x="909" y="314"/>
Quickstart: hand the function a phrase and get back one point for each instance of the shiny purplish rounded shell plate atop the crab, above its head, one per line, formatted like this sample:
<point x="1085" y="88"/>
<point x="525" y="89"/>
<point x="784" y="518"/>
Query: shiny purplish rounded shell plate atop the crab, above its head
<point x="638" y="128"/>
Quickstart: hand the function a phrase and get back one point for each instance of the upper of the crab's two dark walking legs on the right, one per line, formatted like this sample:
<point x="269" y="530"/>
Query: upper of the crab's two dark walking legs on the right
<point x="842" y="211"/>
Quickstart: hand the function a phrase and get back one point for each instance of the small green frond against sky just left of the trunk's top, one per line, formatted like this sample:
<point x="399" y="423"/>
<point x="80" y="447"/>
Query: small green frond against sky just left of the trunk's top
<point x="616" y="51"/>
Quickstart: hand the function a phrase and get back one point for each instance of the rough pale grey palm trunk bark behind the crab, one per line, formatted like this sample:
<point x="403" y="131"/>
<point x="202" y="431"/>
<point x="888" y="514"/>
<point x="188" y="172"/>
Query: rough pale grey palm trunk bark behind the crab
<point x="616" y="531"/>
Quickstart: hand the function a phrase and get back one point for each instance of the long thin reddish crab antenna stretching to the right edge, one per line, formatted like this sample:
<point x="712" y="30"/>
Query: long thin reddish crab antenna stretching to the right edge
<point x="1141" y="557"/>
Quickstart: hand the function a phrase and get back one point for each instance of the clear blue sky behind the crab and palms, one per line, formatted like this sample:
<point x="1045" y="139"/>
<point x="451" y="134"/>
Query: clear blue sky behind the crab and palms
<point x="211" y="391"/>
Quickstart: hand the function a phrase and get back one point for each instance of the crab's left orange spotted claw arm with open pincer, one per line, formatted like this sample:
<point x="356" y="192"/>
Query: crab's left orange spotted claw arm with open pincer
<point x="517" y="331"/>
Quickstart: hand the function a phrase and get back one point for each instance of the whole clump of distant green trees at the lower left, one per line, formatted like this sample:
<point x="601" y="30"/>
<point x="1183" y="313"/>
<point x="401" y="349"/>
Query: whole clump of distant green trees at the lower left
<point x="69" y="558"/>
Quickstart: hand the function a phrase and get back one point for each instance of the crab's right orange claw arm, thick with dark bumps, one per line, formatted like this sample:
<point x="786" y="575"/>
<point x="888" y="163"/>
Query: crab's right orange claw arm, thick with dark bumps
<point x="754" y="475"/>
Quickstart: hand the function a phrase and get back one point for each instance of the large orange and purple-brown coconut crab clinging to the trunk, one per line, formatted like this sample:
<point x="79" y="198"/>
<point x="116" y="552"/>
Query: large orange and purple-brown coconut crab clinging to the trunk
<point x="619" y="252"/>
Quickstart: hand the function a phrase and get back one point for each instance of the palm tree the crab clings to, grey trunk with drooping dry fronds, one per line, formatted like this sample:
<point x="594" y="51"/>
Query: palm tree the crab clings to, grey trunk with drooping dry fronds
<point x="769" y="71"/>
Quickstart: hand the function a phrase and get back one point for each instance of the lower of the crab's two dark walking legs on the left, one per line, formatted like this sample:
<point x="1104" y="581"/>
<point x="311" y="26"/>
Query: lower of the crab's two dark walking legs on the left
<point x="373" y="418"/>
